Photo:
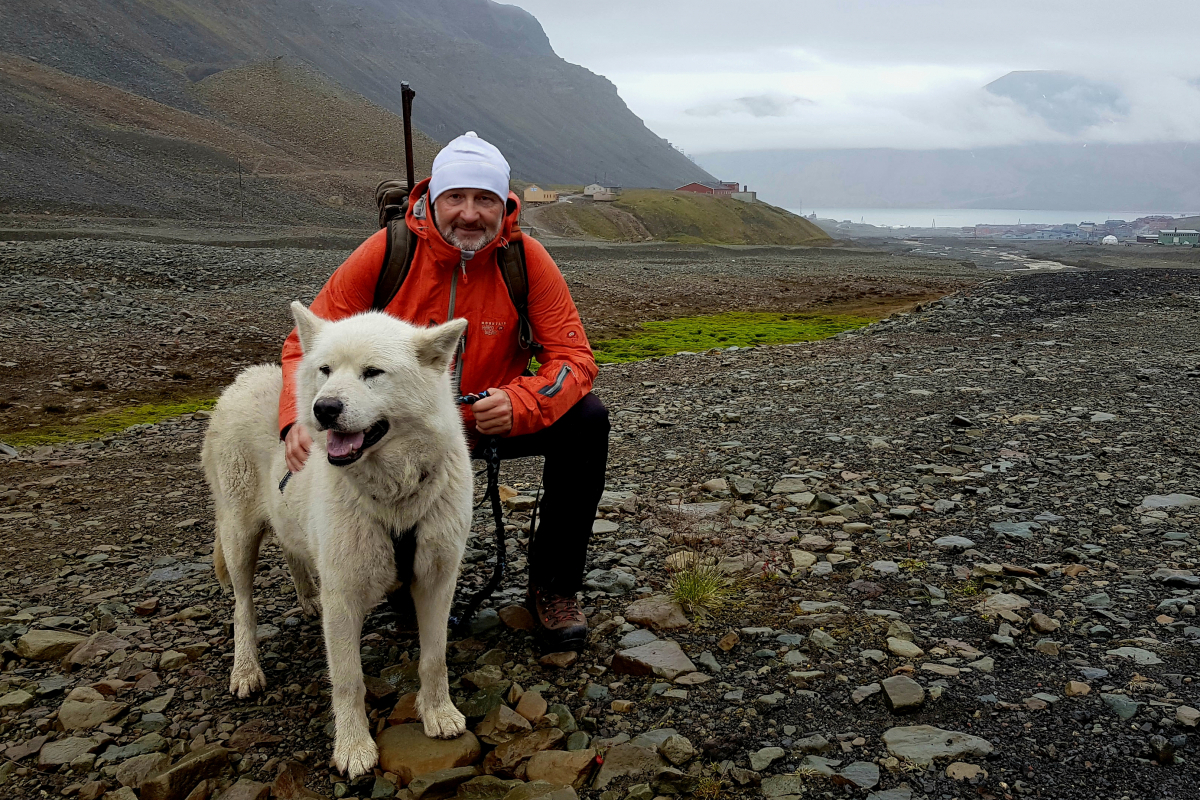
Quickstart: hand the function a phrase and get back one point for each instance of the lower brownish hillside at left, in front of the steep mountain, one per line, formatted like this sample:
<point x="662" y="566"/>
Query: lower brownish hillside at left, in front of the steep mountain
<point x="69" y="145"/>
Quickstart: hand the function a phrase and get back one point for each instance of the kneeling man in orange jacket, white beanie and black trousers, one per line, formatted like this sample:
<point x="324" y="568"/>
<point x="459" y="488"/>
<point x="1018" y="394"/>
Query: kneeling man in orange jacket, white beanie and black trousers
<point x="463" y="220"/>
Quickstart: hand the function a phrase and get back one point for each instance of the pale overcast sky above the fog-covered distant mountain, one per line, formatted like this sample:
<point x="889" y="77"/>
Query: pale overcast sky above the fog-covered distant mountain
<point x="753" y="75"/>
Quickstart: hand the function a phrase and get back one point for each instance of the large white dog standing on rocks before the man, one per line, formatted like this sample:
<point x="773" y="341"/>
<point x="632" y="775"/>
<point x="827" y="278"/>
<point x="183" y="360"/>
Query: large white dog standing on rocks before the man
<point x="394" y="458"/>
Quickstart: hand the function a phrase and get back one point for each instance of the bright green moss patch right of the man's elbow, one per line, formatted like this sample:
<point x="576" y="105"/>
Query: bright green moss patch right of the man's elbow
<point x="741" y="329"/>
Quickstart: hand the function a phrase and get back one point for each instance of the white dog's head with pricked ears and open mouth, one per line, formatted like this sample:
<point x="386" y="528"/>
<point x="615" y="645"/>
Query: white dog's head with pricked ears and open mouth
<point x="369" y="375"/>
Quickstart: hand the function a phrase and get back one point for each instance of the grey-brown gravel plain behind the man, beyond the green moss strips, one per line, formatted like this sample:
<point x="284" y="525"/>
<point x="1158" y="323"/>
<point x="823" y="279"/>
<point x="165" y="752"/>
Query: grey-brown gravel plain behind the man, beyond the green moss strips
<point x="91" y="326"/>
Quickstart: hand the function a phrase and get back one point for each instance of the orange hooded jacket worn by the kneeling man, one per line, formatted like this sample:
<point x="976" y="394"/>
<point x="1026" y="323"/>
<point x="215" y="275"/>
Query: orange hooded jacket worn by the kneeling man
<point x="491" y="356"/>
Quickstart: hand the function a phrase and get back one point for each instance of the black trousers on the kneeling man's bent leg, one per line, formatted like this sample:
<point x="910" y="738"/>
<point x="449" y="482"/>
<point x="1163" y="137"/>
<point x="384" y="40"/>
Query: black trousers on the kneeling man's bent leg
<point x="577" y="452"/>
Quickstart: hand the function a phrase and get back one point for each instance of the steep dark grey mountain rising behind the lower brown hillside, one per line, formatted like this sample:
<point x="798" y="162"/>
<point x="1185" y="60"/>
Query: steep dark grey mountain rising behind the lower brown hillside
<point x="476" y="65"/>
